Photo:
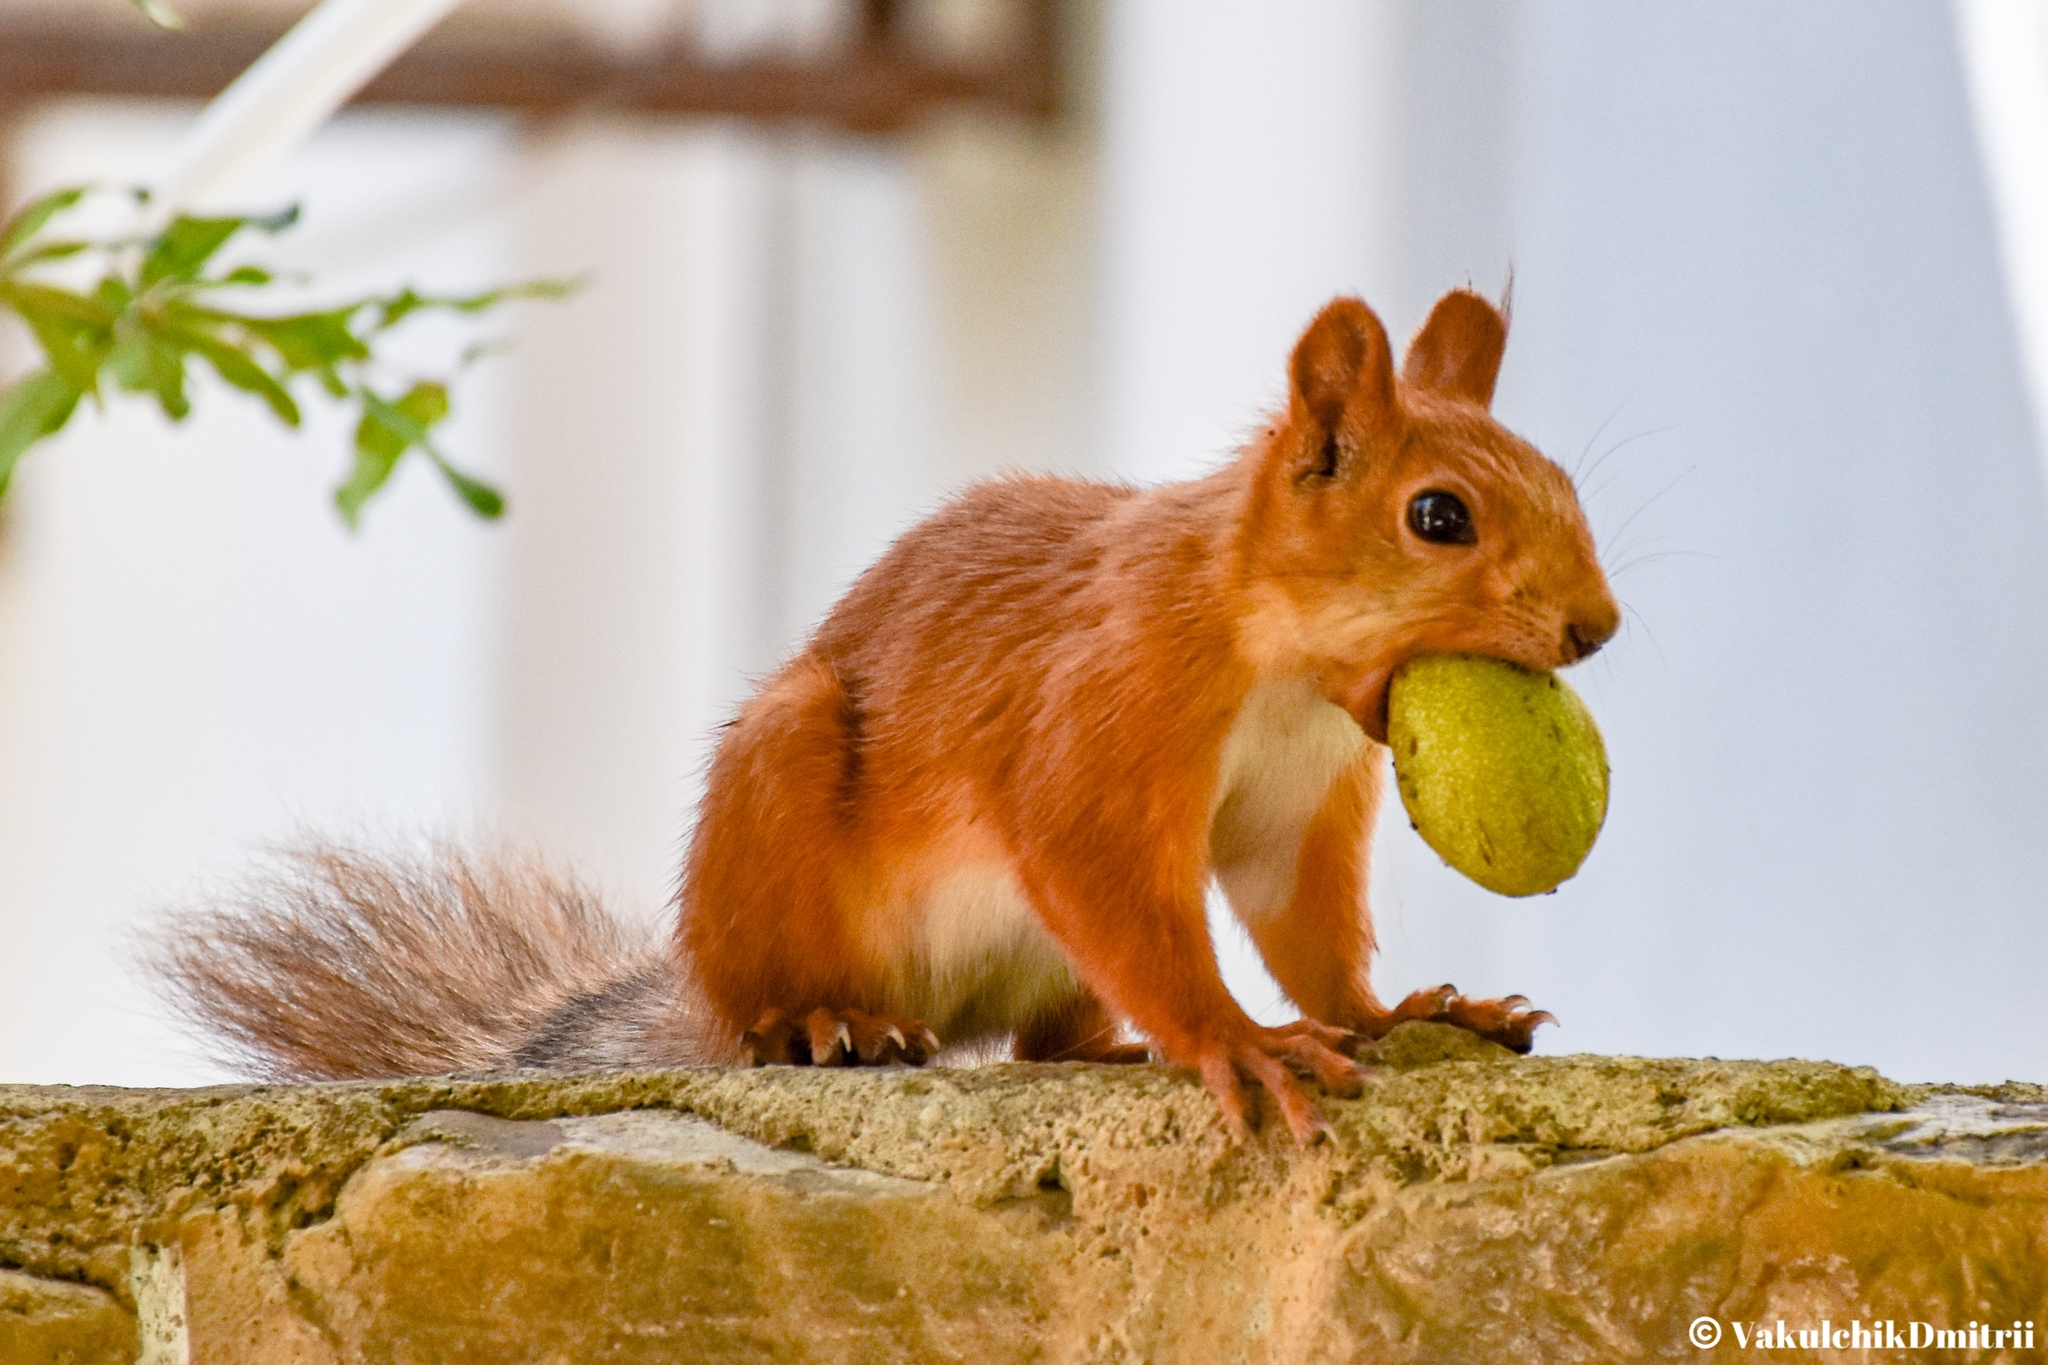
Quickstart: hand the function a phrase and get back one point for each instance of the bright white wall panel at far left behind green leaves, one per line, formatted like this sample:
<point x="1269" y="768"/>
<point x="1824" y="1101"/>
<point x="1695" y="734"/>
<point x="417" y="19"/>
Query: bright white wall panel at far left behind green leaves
<point x="198" y="656"/>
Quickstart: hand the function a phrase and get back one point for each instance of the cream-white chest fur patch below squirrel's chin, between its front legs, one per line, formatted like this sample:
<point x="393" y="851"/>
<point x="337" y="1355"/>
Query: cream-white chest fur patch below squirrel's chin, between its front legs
<point x="1279" y="762"/>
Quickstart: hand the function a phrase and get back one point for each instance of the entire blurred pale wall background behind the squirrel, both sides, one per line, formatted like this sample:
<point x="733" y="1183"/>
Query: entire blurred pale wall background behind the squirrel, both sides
<point x="1760" y="308"/>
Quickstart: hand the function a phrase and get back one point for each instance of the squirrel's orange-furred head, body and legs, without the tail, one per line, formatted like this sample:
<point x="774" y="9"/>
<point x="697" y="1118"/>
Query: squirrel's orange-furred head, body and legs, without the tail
<point x="994" y="787"/>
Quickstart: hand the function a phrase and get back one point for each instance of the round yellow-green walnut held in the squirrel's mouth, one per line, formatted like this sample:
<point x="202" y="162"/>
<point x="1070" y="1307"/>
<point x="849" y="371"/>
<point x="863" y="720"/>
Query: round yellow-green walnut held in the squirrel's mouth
<point x="1500" y="768"/>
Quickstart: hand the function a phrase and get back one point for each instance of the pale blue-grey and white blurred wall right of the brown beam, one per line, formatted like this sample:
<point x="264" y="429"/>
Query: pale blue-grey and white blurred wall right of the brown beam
<point x="1760" y="308"/>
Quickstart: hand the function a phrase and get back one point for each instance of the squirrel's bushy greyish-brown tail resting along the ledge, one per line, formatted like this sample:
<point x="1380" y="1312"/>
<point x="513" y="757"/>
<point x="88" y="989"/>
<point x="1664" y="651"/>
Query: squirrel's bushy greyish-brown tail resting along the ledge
<point x="341" y="963"/>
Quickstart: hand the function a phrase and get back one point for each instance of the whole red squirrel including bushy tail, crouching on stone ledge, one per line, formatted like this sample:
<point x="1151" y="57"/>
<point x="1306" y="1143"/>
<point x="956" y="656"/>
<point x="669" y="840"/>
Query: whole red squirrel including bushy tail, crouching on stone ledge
<point x="990" y="793"/>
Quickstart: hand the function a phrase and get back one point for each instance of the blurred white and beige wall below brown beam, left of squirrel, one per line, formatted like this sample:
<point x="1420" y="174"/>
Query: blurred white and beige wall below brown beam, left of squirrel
<point x="792" y="347"/>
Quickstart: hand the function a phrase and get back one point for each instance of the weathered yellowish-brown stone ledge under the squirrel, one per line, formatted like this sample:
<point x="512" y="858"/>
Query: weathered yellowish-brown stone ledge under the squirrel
<point x="1471" y="1208"/>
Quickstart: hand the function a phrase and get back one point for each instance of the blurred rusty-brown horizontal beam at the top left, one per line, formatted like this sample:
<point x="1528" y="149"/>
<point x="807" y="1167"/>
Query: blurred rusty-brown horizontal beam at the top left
<point x="873" y="85"/>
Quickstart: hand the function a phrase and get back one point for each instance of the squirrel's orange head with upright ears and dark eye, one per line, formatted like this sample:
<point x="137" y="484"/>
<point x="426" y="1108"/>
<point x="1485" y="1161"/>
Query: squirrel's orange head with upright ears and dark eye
<point x="1394" y="517"/>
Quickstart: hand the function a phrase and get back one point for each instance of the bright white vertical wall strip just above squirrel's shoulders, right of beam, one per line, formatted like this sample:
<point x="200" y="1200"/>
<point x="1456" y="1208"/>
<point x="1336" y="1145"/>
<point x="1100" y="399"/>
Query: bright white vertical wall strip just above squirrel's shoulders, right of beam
<point x="1248" y="159"/>
